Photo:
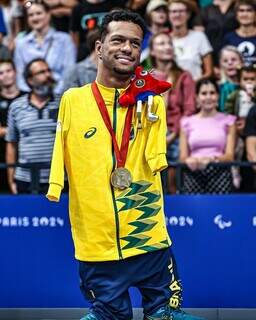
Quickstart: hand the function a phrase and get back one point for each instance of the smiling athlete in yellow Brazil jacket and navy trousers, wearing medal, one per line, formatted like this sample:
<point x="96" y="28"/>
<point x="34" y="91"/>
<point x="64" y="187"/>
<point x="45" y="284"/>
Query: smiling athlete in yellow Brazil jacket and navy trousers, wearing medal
<point x="113" y="163"/>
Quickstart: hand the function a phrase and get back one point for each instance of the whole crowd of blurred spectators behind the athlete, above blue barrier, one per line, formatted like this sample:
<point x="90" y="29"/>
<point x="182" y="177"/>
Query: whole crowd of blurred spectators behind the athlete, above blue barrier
<point x="206" y="48"/>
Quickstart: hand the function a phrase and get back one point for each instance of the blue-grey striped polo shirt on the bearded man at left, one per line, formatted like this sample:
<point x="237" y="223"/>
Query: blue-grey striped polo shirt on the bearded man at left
<point x="34" y="131"/>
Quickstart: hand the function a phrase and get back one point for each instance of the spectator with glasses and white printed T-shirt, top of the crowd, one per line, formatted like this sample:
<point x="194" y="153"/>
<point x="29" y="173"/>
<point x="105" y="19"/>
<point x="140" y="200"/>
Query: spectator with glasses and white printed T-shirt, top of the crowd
<point x="192" y="48"/>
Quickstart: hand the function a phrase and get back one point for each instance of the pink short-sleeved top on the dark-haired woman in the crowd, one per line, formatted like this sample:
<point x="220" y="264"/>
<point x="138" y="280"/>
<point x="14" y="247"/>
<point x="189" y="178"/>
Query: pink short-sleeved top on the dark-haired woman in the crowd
<point x="207" y="136"/>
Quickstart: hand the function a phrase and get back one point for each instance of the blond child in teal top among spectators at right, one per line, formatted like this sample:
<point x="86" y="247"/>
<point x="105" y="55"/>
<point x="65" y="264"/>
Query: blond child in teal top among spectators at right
<point x="230" y="63"/>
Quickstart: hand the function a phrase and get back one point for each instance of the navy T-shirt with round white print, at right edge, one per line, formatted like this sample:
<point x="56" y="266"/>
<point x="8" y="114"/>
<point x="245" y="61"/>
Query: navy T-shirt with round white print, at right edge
<point x="245" y="45"/>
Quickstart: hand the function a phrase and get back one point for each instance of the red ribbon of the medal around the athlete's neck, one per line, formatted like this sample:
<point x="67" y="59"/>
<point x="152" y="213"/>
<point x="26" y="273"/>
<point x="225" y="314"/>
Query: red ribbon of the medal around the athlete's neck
<point x="121" y="153"/>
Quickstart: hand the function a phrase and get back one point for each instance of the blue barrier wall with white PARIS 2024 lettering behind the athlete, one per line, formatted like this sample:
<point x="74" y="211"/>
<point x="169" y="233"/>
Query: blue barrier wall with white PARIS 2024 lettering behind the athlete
<point x="214" y="244"/>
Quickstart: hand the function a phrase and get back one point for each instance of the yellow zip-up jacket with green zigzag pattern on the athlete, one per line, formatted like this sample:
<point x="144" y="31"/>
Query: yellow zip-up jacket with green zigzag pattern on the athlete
<point x="107" y="223"/>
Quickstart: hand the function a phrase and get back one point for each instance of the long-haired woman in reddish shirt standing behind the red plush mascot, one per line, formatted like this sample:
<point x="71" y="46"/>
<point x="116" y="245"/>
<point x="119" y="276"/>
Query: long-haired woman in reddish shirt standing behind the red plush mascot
<point x="180" y="100"/>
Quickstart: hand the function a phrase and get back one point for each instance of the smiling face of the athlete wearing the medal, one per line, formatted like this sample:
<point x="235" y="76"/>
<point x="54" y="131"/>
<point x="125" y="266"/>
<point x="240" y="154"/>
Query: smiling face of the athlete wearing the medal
<point x="120" y="50"/>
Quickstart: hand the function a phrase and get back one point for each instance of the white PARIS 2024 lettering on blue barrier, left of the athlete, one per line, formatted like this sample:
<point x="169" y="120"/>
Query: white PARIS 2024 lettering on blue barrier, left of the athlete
<point x="34" y="222"/>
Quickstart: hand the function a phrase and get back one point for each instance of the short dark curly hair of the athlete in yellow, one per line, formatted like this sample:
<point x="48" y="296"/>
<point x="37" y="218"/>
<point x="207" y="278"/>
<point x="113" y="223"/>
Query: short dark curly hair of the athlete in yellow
<point x="121" y="15"/>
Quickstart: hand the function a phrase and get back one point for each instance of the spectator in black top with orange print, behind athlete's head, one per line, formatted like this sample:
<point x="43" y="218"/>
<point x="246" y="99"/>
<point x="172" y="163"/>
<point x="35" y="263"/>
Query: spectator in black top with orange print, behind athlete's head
<point x="85" y="16"/>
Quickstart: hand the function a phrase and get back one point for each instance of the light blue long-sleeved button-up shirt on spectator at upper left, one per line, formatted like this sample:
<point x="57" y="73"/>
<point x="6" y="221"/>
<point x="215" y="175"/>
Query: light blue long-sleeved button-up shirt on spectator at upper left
<point x="57" y="49"/>
